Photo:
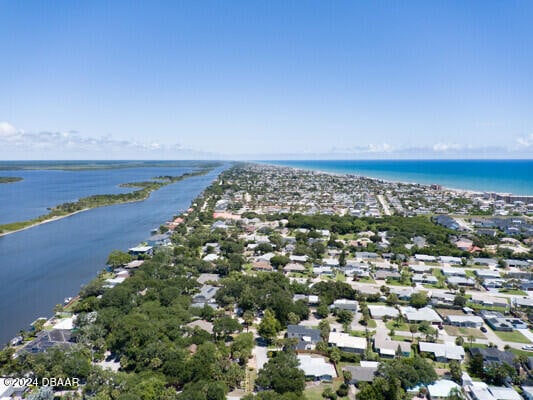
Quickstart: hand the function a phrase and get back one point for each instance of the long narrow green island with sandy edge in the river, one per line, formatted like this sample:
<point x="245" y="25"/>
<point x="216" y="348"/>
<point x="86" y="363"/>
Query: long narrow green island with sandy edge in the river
<point x="101" y="200"/>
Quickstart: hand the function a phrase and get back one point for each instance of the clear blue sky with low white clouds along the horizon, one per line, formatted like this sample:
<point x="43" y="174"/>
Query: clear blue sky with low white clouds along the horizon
<point x="266" y="79"/>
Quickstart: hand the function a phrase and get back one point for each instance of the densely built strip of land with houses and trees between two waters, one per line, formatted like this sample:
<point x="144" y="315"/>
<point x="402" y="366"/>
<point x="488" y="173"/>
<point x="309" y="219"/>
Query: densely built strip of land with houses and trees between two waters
<point x="283" y="284"/>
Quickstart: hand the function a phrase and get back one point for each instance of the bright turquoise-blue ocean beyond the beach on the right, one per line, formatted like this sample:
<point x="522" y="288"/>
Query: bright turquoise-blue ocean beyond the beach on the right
<point x="502" y="176"/>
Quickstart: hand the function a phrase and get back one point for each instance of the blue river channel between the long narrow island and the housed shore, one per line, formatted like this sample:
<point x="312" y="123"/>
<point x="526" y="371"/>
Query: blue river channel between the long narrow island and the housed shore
<point x="41" y="266"/>
